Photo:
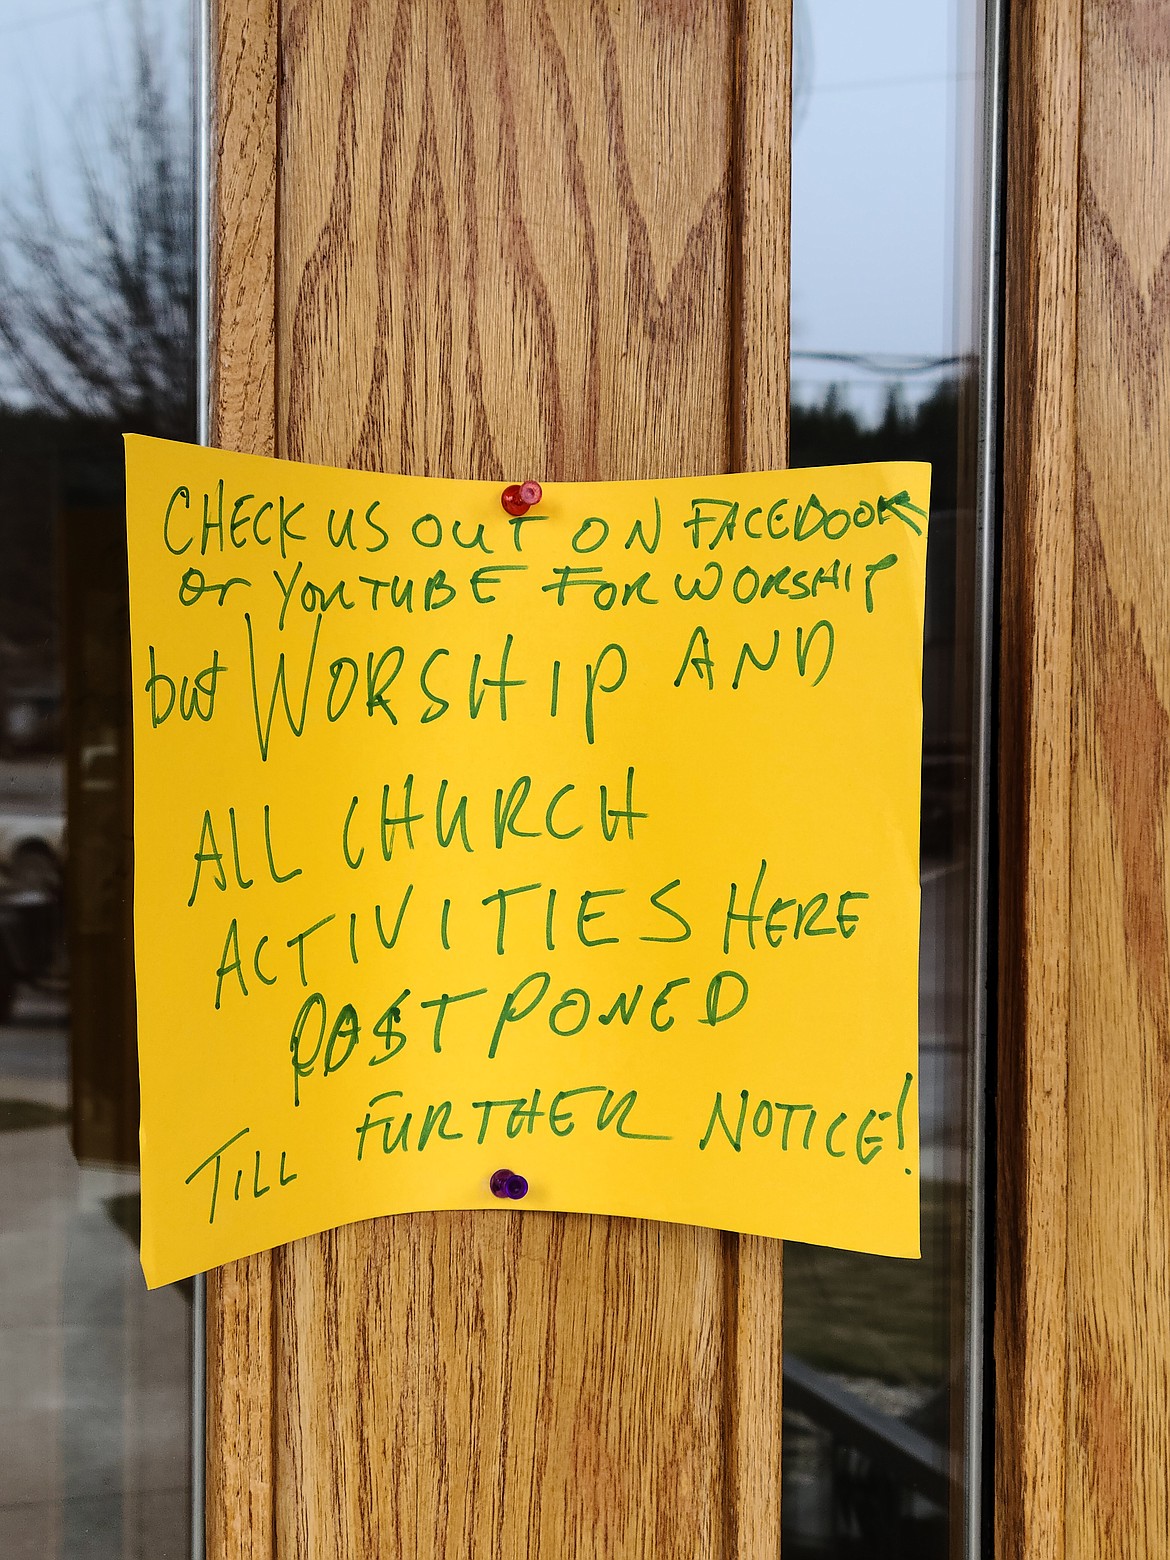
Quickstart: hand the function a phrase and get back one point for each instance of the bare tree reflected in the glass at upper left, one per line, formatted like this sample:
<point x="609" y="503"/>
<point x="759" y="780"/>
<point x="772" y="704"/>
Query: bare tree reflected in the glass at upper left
<point x="97" y="261"/>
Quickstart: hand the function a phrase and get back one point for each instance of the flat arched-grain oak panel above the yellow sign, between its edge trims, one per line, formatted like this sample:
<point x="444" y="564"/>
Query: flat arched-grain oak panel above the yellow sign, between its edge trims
<point x="506" y="238"/>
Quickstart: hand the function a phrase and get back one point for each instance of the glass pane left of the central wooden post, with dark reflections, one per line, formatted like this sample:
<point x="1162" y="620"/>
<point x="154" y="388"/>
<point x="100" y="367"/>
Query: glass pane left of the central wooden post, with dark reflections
<point x="96" y="339"/>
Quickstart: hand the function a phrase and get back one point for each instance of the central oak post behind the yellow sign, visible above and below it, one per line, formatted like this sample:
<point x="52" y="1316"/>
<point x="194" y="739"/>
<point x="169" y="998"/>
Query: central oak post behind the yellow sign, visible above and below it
<point x="491" y="241"/>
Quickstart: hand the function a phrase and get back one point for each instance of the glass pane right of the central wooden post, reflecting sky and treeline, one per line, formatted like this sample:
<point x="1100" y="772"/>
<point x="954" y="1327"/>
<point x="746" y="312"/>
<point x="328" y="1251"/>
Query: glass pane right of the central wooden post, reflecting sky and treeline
<point x="887" y="266"/>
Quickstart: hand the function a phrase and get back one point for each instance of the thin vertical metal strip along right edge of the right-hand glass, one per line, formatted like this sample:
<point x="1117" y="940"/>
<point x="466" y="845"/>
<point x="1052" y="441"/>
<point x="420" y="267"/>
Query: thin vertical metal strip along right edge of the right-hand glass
<point x="979" y="1411"/>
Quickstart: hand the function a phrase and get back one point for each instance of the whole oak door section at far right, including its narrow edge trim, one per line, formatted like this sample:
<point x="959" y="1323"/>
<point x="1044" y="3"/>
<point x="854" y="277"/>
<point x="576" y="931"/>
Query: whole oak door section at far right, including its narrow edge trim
<point x="1083" y="1333"/>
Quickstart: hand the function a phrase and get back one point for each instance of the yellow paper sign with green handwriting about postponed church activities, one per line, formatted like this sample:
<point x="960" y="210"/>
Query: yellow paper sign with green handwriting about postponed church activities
<point x="581" y="845"/>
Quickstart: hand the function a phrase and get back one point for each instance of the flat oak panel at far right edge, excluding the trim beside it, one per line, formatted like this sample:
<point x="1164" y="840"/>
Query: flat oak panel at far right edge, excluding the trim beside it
<point x="1119" y="1055"/>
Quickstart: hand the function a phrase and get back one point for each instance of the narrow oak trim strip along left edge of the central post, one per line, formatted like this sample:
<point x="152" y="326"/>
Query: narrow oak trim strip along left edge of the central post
<point x="239" y="1341"/>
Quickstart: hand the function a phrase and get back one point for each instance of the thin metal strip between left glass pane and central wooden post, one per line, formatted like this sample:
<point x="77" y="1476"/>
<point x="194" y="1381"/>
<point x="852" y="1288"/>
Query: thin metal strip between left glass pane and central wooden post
<point x="204" y="172"/>
